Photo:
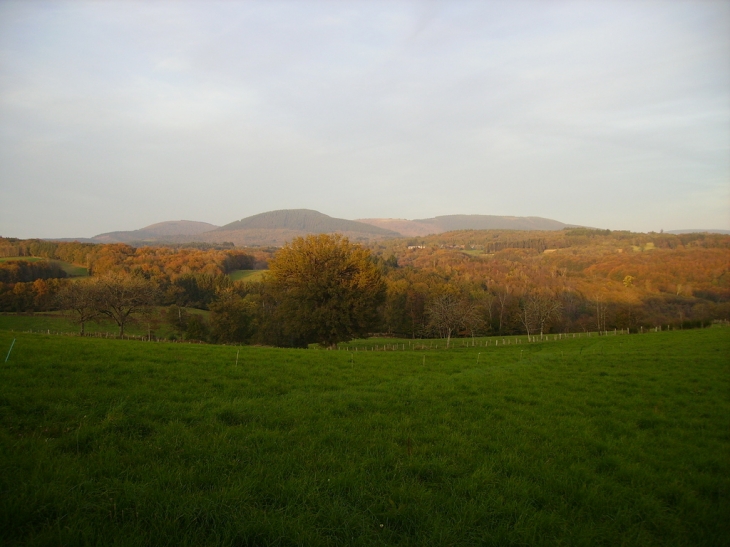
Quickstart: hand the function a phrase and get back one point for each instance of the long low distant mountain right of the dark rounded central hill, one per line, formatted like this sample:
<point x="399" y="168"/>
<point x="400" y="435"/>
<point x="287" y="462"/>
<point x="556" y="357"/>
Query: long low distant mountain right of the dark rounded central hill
<point x="448" y="223"/>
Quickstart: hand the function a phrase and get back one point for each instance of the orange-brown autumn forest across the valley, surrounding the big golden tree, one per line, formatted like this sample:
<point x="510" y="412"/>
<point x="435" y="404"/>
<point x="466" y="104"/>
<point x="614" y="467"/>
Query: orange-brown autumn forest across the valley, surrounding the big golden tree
<point x="461" y="283"/>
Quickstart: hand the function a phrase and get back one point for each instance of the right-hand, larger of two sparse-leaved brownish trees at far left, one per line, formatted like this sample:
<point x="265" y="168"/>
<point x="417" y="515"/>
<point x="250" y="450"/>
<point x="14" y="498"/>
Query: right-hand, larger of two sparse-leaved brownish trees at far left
<point x="122" y="296"/>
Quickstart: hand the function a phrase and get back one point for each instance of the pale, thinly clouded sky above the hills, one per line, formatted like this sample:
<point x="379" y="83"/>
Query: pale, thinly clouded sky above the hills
<point x="117" y="115"/>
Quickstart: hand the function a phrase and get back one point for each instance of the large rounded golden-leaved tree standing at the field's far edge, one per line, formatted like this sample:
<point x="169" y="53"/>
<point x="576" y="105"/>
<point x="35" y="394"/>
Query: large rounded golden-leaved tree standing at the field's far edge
<point x="324" y="289"/>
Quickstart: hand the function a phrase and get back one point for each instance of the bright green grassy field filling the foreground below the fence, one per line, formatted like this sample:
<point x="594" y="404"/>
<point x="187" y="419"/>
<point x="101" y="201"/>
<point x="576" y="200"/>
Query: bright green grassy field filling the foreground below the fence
<point x="621" y="440"/>
